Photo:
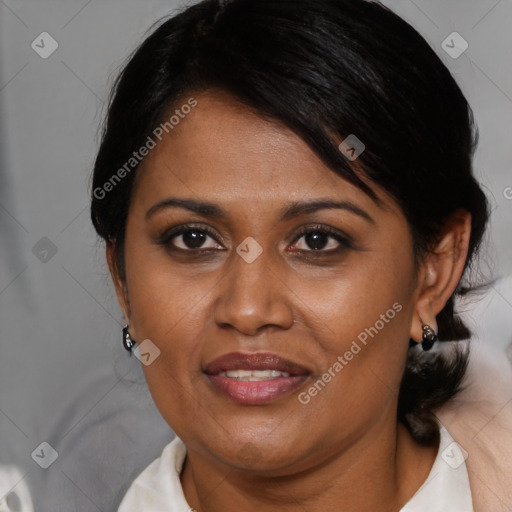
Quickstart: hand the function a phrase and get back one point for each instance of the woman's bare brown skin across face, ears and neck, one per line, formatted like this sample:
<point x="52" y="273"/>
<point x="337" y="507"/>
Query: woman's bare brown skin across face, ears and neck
<point x="344" y="446"/>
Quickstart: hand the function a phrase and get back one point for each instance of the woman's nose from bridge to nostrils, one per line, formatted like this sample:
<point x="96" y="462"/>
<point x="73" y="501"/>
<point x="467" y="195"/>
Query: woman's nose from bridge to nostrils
<point x="253" y="296"/>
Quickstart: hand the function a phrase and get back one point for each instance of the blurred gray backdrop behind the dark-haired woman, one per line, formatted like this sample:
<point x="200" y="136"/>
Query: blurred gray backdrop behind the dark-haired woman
<point x="64" y="377"/>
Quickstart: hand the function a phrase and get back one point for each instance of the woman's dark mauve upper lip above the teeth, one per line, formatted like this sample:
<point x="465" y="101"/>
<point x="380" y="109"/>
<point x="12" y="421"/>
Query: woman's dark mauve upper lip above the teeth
<point x="253" y="361"/>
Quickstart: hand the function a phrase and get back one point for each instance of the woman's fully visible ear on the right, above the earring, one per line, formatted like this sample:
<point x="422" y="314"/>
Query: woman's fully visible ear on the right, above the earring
<point x="441" y="271"/>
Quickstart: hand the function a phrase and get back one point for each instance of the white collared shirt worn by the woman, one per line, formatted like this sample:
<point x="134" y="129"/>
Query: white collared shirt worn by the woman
<point x="158" y="487"/>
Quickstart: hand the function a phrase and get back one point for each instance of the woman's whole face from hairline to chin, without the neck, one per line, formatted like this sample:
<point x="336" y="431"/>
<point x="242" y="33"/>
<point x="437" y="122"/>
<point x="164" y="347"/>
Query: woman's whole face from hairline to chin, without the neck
<point x="333" y="309"/>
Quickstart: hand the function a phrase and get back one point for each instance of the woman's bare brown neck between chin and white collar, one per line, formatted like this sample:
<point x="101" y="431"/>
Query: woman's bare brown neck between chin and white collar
<point x="381" y="471"/>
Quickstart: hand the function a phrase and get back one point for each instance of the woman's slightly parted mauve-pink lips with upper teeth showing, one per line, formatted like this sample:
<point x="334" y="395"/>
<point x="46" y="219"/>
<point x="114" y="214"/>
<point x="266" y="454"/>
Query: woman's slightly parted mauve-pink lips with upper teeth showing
<point x="255" y="378"/>
